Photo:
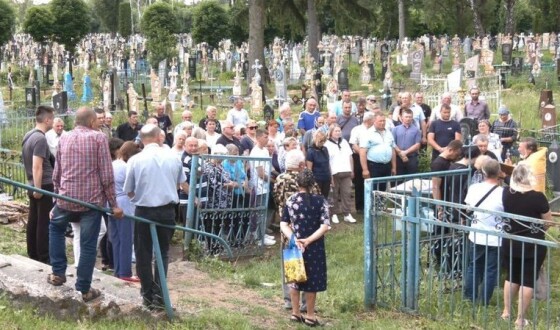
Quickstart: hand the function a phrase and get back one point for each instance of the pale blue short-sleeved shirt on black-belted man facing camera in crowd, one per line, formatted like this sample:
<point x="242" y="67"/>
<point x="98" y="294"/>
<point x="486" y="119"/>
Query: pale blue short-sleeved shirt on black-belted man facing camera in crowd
<point x="379" y="145"/>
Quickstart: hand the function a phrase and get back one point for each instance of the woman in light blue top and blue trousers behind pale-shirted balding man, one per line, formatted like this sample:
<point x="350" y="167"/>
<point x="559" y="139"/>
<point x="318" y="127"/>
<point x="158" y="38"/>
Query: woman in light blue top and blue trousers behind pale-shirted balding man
<point x="121" y="230"/>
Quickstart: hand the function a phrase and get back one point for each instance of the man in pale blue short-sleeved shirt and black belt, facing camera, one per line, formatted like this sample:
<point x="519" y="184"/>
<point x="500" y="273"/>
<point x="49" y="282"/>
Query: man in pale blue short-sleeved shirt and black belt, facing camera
<point x="377" y="152"/>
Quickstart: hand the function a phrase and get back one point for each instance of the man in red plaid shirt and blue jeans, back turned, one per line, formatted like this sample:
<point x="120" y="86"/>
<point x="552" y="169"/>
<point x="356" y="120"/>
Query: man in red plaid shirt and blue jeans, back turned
<point x="82" y="171"/>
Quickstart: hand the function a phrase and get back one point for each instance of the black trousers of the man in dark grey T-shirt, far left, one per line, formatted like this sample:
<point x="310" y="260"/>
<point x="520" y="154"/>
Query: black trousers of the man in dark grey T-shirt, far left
<point x="37" y="234"/>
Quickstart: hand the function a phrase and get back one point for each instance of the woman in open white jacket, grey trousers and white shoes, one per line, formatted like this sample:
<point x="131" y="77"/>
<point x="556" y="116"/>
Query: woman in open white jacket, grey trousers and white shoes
<point x="342" y="171"/>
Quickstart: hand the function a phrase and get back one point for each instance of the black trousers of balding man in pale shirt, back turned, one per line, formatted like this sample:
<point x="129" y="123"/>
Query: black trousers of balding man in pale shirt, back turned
<point x="143" y="248"/>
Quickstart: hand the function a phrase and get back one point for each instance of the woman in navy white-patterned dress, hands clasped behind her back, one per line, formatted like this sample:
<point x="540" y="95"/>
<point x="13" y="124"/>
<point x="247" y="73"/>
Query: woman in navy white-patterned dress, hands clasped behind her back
<point x="307" y="217"/>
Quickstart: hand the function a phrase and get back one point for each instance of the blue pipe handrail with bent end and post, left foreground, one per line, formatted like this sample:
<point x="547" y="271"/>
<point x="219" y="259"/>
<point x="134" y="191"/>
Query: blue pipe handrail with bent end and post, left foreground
<point x="152" y="224"/>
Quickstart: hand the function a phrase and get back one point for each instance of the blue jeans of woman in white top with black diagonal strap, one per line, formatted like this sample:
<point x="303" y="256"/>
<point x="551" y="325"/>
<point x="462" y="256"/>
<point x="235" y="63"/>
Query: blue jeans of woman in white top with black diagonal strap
<point x="483" y="269"/>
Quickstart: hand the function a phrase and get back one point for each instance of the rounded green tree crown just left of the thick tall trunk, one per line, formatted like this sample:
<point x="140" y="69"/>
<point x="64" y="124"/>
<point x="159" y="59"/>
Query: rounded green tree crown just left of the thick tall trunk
<point x="210" y="23"/>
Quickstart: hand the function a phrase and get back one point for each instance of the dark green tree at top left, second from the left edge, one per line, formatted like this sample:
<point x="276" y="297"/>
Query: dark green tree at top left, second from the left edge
<point x="71" y="22"/>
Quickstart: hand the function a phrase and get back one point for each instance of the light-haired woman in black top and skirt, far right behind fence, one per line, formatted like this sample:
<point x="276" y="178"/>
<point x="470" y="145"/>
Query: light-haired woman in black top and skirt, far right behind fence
<point x="522" y="261"/>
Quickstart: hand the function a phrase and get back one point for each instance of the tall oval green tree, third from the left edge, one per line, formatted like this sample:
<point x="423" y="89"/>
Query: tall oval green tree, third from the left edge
<point x="159" y="24"/>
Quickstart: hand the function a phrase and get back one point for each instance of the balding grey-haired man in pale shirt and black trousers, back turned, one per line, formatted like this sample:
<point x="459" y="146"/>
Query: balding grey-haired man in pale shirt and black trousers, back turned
<point x="152" y="179"/>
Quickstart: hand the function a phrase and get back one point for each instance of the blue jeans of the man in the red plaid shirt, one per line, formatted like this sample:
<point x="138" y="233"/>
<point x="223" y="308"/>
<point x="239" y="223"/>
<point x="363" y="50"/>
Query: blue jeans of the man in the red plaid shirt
<point x="90" y="222"/>
